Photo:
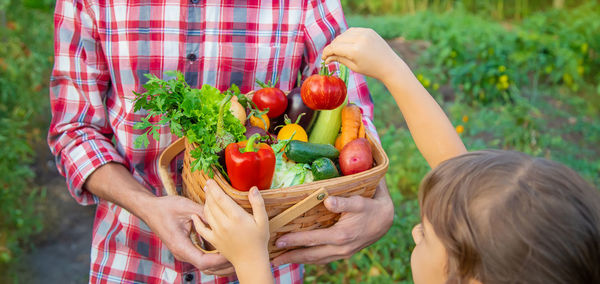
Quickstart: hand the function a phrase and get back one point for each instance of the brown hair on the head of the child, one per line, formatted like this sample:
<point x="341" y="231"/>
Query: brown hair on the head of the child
<point x="505" y="217"/>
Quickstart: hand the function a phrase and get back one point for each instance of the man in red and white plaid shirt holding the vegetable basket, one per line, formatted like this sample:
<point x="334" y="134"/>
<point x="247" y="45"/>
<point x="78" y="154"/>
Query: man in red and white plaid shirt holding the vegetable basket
<point x="102" y="50"/>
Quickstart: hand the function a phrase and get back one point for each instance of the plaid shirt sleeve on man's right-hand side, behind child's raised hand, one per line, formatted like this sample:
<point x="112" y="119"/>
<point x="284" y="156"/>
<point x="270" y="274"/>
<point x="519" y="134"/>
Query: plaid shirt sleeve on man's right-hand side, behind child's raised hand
<point x="323" y="21"/>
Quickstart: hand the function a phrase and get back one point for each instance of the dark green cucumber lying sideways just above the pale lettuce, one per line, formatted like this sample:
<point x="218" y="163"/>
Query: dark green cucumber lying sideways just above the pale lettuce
<point x="304" y="152"/>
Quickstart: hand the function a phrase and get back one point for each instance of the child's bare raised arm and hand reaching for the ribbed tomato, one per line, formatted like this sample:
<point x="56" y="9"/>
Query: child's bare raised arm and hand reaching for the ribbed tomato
<point x="364" y="51"/>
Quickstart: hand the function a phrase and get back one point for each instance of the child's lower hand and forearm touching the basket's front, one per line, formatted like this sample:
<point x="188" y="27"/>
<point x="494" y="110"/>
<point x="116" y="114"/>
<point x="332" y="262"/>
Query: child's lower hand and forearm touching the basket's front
<point x="239" y="236"/>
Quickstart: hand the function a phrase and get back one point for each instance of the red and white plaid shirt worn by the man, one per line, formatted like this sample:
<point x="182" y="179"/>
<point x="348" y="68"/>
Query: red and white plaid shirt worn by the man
<point x="102" y="50"/>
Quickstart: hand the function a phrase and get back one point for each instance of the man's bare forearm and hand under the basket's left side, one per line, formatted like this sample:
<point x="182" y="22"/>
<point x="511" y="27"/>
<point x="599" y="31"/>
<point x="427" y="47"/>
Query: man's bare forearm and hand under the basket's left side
<point x="168" y="217"/>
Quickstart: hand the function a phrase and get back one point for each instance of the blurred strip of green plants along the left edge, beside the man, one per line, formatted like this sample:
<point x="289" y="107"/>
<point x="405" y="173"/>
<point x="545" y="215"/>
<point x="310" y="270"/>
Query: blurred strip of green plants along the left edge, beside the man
<point x="25" y="63"/>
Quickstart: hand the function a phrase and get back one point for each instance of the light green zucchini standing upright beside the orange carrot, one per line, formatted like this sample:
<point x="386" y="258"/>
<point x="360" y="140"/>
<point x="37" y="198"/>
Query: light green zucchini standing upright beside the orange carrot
<point x="327" y="126"/>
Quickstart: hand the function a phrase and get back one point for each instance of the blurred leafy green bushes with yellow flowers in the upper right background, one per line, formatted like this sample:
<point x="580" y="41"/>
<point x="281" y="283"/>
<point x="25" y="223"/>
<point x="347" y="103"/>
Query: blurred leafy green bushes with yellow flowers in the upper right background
<point x="487" y="60"/>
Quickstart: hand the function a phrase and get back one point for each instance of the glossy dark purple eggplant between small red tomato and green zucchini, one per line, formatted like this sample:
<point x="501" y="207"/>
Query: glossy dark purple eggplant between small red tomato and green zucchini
<point x="295" y="108"/>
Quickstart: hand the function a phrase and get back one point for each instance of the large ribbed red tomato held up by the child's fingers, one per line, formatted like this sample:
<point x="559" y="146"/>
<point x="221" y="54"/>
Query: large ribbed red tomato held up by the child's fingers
<point x="323" y="92"/>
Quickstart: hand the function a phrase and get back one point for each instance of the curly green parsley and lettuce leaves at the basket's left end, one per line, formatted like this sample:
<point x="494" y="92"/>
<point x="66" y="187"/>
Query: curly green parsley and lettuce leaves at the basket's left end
<point x="197" y="114"/>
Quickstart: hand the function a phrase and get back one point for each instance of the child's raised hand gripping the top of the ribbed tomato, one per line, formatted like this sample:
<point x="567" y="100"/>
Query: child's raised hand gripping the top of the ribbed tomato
<point x="364" y="51"/>
